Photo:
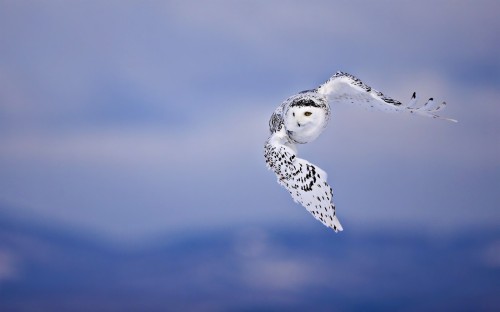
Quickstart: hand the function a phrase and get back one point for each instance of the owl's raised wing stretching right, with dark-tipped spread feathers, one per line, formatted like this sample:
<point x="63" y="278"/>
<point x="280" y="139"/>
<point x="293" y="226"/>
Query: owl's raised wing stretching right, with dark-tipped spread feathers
<point x="346" y="88"/>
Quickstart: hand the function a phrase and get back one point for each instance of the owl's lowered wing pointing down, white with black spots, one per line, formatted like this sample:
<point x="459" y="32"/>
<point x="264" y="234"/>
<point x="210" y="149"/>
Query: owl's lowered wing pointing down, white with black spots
<point x="304" y="181"/>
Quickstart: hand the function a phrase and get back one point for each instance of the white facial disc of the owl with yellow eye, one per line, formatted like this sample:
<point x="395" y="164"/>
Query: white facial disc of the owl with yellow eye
<point x="305" y="123"/>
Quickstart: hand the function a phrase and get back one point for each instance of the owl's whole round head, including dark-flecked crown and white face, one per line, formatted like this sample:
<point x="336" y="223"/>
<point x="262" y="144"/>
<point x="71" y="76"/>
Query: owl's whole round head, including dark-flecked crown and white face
<point x="306" y="116"/>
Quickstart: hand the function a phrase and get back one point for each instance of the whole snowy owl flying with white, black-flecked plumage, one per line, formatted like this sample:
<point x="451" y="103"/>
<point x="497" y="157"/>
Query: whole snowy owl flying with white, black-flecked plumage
<point x="302" y="117"/>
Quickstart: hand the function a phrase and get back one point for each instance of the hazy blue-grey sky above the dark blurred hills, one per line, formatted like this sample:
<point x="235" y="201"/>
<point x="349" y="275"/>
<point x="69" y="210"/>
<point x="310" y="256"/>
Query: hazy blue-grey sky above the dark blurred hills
<point x="134" y="120"/>
